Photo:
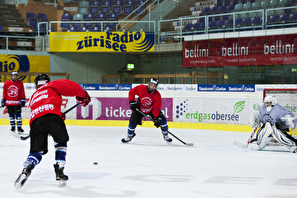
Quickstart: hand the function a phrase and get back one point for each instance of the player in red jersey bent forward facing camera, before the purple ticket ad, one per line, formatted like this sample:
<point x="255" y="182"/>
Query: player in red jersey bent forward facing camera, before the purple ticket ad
<point x="149" y="102"/>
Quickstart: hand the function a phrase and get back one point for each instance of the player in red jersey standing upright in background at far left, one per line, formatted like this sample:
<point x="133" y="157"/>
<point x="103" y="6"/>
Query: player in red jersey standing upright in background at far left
<point x="14" y="98"/>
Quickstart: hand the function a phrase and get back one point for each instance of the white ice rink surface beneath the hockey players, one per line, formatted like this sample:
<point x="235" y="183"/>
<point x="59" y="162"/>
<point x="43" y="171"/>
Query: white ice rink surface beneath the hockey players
<point x="148" y="167"/>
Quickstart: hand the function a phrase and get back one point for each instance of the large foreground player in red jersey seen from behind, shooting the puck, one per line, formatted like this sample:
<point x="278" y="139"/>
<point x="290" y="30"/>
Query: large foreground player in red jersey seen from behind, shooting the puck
<point x="46" y="119"/>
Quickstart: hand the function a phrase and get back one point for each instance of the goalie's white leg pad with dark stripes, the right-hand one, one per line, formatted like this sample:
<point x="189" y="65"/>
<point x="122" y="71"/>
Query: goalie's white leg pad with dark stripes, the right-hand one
<point x="284" y="138"/>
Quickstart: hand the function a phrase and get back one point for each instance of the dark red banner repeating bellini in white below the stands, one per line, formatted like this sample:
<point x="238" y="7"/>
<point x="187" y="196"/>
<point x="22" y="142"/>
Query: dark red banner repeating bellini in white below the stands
<point x="246" y="51"/>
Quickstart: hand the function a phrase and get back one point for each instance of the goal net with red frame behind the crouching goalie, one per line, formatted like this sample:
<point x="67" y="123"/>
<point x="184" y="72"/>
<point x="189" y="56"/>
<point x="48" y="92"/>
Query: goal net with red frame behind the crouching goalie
<point x="286" y="98"/>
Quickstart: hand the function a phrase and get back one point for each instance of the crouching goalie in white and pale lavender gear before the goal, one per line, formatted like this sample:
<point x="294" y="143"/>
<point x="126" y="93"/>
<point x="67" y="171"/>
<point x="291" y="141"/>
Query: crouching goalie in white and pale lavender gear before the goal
<point x="276" y="122"/>
